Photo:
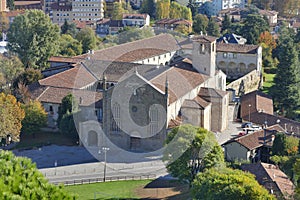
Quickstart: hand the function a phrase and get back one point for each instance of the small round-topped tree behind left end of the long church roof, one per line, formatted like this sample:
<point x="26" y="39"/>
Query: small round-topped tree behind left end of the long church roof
<point x="87" y="38"/>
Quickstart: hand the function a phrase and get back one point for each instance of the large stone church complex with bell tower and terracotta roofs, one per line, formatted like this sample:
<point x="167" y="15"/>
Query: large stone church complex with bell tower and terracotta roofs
<point x="144" y="89"/>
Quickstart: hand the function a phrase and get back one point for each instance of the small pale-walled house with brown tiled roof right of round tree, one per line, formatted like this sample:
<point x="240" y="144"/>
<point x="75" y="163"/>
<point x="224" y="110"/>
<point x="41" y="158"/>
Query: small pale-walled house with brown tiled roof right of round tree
<point x="252" y="147"/>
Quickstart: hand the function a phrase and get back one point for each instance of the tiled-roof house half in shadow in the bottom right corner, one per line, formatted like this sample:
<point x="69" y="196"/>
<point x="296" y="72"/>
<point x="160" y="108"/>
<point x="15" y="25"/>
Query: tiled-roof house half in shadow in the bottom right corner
<point x="272" y="178"/>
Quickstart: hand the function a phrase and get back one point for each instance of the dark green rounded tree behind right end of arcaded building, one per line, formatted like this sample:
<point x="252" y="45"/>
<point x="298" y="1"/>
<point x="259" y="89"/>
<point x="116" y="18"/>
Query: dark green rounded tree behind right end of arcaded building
<point x="254" y="25"/>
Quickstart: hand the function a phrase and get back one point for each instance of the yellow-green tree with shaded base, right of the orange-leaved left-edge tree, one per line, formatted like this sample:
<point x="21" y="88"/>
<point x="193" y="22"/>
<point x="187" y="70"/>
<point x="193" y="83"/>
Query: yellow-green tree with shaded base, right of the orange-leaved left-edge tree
<point x="35" y="118"/>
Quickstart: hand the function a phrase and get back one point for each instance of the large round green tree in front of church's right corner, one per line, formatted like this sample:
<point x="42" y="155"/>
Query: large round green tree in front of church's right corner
<point x="191" y="150"/>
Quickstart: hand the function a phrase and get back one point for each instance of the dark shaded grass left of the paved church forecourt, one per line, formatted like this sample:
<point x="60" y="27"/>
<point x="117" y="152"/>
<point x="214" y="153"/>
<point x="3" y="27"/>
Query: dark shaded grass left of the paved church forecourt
<point x="44" y="138"/>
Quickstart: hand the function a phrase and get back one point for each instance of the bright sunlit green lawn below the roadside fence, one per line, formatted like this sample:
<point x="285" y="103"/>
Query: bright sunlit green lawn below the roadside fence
<point x="108" y="190"/>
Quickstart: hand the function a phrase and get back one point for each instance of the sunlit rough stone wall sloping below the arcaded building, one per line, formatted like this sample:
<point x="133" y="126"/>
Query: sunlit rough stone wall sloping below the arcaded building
<point x="251" y="82"/>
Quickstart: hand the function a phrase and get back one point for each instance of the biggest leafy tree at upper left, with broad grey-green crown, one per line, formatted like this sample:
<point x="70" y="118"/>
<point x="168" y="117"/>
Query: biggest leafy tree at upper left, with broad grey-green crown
<point x="34" y="38"/>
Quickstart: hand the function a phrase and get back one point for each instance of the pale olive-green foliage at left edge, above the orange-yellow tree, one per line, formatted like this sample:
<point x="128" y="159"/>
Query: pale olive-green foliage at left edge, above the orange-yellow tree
<point x="10" y="68"/>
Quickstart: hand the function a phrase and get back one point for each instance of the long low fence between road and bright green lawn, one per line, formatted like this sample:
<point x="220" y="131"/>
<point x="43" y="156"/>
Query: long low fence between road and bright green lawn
<point x="107" y="179"/>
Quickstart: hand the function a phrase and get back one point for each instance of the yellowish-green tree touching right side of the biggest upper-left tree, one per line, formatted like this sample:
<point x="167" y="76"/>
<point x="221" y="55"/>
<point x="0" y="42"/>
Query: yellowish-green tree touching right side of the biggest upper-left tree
<point x="69" y="46"/>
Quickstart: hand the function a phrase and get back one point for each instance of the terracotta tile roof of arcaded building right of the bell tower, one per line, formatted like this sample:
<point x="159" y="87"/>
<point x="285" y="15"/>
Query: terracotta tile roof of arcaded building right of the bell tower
<point x="238" y="48"/>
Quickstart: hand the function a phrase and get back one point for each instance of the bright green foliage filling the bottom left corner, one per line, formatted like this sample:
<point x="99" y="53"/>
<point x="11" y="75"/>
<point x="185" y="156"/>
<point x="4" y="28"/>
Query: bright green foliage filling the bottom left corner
<point x="20" y="179"/>
